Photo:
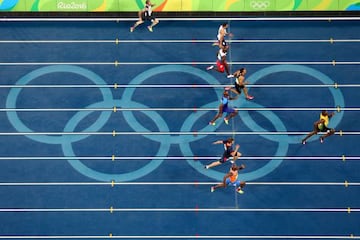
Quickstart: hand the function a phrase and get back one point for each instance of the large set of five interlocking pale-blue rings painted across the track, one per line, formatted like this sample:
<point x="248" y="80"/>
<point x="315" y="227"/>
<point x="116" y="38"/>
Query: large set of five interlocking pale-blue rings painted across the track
<point x="165" y="141"/>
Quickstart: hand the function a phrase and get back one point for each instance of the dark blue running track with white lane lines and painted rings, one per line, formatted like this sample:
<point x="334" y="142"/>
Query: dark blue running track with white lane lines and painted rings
<point x="96" y="143"/>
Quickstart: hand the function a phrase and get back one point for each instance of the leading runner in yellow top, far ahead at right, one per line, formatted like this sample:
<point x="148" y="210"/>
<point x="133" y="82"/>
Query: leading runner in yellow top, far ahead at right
<point x="321" y="126"/>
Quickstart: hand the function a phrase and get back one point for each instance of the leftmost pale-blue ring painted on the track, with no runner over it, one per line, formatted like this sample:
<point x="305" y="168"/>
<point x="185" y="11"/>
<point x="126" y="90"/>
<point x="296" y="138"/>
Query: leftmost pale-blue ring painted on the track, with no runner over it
<point x="21" y="127"/>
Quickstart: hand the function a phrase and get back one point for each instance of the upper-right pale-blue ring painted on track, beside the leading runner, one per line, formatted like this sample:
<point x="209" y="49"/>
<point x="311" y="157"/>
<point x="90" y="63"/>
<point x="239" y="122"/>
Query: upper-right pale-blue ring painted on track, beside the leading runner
<point x="338" y="97"/>
